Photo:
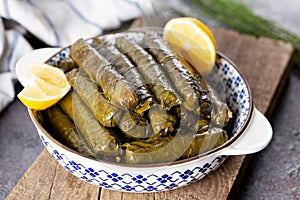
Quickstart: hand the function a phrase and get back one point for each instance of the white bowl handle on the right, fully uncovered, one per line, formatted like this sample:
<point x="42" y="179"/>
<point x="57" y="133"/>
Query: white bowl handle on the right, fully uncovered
<point x="256" y="137"/>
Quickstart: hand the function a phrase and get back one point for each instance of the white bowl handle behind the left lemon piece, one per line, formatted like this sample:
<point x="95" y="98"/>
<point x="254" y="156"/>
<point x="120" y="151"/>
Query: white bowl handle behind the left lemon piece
<point x="35" y="56"/>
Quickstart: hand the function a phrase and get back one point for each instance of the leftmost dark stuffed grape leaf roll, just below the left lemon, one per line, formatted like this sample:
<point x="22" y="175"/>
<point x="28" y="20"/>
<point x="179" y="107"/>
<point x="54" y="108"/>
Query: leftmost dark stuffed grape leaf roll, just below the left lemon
<point x="63" y="129"/>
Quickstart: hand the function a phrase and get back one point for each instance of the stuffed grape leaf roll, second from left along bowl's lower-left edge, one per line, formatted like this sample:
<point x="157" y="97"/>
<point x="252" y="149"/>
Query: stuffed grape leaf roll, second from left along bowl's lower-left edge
<point x="99" y="140"/>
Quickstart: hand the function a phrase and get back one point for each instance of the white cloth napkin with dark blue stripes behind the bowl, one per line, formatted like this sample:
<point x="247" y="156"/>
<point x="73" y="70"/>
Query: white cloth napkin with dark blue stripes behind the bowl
<point x="58" y="23"/>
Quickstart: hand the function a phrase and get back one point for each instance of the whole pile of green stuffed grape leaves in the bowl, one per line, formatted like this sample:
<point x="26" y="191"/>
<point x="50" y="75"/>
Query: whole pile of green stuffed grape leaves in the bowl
<point x="136" y="102"/>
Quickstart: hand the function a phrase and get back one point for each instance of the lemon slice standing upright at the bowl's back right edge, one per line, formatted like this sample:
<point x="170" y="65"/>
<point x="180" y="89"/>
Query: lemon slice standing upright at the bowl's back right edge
<point x="193" y="40"/>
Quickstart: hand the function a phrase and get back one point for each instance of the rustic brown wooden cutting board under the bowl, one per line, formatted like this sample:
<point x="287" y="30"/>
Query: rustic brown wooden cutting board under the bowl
<point x="265" y="64"/>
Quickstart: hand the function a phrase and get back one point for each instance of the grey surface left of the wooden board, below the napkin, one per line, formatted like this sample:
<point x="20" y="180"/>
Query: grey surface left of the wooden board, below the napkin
<point x="19" y="145"/>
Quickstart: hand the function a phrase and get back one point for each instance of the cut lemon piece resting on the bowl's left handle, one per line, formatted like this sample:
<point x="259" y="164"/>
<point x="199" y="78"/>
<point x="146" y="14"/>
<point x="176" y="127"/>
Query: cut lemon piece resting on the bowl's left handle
<point x="46" y="86"/>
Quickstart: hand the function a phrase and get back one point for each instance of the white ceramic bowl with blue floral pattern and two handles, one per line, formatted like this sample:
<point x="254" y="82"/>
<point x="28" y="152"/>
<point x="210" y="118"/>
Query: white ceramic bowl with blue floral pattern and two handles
<point x="251" y="133"/>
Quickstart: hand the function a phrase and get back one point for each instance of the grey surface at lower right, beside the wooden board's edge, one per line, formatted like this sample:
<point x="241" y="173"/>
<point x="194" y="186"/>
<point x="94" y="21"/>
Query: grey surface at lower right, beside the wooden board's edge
<point x="274" y="173"/>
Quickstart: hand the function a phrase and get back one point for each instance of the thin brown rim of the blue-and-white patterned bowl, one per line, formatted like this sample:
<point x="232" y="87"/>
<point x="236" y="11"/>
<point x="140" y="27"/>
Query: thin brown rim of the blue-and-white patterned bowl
<point x="186" y="160"/>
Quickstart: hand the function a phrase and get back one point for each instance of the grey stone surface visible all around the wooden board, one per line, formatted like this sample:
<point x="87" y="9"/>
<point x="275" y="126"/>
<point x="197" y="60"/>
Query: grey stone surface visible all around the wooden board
<point x="273" y="173"/>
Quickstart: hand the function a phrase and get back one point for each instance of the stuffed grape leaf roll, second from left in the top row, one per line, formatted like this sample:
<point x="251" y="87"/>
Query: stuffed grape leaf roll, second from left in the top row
<point x="124" y="66"/>
